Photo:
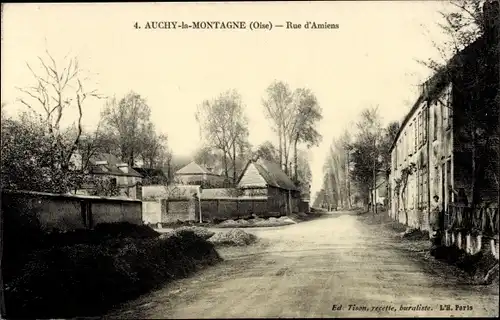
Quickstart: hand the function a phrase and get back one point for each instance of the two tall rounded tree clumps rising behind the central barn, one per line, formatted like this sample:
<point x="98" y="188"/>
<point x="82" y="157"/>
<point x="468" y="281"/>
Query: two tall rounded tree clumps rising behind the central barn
<point x="224" y="131"/>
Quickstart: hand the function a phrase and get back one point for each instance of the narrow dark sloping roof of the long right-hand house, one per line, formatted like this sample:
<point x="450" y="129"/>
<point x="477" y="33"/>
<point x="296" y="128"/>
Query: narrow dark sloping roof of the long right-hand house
<point x="435" y="84"/>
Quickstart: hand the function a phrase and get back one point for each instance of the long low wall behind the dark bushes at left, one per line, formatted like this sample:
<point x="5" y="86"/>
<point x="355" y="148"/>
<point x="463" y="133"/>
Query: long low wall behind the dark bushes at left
<point x="64" y="212"/>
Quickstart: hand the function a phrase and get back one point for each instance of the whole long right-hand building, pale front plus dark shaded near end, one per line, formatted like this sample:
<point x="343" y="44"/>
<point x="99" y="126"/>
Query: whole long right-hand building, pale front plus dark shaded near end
<point x="446" y="144"/>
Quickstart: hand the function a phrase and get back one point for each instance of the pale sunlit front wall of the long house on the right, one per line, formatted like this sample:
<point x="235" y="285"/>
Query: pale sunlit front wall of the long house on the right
<point x="425" y="140"/>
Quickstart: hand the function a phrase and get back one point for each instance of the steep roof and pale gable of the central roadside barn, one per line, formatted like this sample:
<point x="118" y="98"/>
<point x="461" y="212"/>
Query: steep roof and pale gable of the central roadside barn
<point x="268" y="172"/>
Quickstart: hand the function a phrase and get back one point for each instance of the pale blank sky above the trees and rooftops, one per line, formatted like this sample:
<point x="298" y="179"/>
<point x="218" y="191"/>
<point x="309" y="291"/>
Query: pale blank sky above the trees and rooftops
<point x="369" y="60"/>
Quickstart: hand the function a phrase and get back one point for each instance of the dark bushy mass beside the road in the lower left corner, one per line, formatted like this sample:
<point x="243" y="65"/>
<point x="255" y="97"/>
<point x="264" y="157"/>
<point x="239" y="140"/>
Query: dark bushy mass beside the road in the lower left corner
<point x="87" y="279"/>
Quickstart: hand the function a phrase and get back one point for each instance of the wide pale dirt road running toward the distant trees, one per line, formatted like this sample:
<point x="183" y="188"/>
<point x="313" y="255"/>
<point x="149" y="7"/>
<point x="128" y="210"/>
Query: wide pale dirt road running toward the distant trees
<point x="306" y="269"/>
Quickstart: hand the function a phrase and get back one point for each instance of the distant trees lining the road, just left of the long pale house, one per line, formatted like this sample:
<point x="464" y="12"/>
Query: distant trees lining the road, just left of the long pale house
<point x="356" y="159"/>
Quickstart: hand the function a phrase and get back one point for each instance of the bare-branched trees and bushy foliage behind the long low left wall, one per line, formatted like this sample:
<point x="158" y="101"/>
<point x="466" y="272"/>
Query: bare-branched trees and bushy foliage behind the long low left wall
<point x="38" y="153"/>
